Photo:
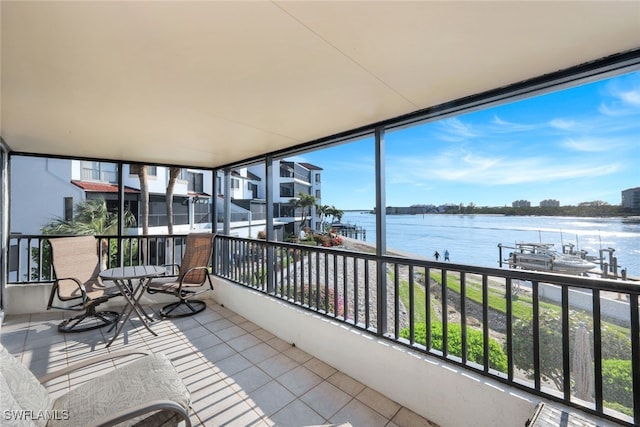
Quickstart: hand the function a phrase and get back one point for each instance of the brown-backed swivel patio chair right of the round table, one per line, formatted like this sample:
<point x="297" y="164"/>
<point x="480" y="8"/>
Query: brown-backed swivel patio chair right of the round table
<point x="192" y="279"/>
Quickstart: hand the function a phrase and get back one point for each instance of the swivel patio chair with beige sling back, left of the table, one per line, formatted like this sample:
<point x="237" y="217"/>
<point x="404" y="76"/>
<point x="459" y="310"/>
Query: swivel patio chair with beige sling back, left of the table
<point x="76" y="266"/>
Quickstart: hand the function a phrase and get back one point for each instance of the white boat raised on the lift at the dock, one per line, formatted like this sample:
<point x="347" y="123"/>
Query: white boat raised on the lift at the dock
<point x="543" y="257"/>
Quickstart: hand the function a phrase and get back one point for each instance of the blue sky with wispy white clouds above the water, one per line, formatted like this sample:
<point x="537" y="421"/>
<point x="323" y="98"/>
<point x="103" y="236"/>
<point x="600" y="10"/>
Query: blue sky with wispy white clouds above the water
<point x="577" y="145"/>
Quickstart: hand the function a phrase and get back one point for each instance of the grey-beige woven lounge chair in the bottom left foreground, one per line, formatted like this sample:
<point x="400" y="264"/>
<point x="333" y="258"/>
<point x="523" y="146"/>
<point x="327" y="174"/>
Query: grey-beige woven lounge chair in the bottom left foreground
<point x="145" y="392"/>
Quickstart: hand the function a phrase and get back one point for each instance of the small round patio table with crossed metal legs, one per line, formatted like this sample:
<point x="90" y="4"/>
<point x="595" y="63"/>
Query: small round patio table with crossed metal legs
<point x="132" y="283"/>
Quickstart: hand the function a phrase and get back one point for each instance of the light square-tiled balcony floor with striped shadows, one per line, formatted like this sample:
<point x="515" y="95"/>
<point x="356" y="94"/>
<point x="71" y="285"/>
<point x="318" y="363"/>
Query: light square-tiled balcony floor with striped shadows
<point x="238" y="373"/>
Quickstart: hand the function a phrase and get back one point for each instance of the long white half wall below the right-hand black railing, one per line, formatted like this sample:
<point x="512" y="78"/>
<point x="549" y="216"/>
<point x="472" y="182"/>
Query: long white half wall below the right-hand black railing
<point x="438" y="391"/>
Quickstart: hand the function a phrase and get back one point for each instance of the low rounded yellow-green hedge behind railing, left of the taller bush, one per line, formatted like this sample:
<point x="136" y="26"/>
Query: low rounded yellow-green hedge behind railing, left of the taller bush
<point x="475" y="343"/>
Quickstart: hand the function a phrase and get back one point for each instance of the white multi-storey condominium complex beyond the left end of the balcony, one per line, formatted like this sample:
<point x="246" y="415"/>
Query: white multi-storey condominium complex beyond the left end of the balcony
<point x="60" y="184"/>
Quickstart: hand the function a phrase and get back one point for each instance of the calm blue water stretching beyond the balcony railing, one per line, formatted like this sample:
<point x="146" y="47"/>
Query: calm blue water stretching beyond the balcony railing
<point x="473" y="239"/>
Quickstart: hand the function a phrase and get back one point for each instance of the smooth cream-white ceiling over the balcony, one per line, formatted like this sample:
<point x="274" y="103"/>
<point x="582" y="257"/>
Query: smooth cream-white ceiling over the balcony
<point x="207" y="83"/>
